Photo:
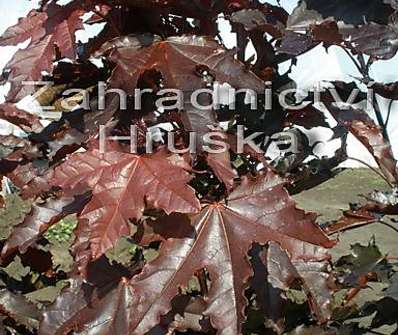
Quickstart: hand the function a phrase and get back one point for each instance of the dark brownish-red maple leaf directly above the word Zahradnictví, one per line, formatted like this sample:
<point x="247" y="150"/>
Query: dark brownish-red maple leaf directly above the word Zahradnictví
<point x="178" y="59"/>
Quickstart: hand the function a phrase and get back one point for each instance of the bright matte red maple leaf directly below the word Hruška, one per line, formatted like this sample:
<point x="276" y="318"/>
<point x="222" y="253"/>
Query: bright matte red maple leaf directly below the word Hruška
<point x="123" y="185"/>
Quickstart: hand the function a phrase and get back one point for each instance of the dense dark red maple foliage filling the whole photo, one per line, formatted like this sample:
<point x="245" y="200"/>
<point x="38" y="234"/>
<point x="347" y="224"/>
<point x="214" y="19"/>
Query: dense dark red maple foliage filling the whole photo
<point x="215" y="242"/>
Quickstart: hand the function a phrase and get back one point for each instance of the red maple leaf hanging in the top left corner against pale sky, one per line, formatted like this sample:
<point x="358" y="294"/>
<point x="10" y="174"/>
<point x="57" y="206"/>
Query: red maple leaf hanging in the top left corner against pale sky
<point x="51" y="31"/>
